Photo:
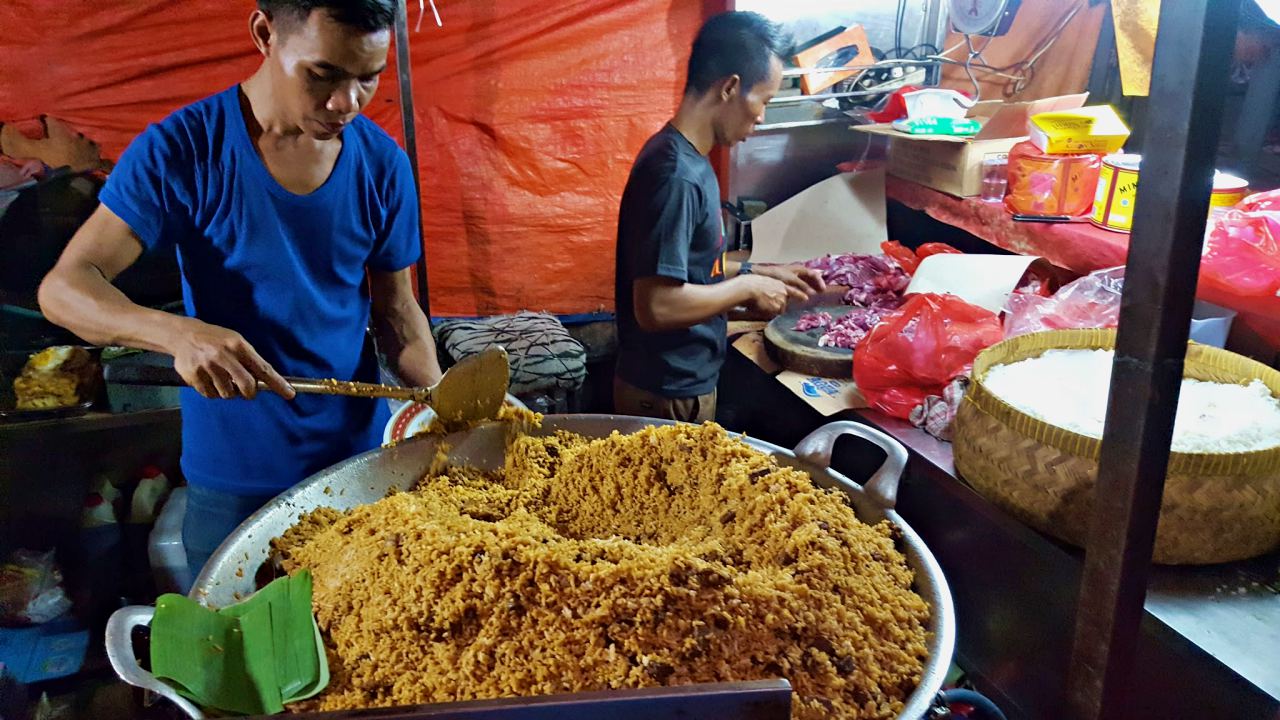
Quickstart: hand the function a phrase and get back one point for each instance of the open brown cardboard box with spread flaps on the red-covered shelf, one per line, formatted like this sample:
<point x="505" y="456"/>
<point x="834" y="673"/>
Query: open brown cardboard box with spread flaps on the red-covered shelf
<point x="954" y="165"/>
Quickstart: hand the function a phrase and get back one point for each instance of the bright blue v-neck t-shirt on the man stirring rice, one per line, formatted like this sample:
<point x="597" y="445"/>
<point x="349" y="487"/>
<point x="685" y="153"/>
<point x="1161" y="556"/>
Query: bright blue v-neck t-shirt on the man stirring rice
<point x="285" y="271"/>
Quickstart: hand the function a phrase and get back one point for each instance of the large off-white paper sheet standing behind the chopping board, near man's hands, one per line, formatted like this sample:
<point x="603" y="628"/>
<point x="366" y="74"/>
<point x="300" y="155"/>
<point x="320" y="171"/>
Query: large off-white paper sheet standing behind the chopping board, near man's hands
<point x="840" y="215"/>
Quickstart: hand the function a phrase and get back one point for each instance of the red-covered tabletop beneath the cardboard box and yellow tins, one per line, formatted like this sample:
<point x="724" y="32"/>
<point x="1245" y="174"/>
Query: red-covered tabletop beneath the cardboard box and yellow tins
<point x="1080" y="248"/>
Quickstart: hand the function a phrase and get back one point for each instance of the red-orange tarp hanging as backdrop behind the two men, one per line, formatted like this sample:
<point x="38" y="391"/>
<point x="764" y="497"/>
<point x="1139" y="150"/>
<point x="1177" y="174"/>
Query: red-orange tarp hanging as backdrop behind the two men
<point x="529" y="115"/>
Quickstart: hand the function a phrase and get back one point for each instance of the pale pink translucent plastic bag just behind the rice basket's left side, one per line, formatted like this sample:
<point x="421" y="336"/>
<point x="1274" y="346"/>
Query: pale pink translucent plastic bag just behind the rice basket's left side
<point x="1092" y="302"/>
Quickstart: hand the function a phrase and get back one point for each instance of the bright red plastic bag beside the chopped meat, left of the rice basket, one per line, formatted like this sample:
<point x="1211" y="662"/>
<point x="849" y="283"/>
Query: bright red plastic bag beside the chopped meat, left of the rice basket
<point x="921" y="348"/>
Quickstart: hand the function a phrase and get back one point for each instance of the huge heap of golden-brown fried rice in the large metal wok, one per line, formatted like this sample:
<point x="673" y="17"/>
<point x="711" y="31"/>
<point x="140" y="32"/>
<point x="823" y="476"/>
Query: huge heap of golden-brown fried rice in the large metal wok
<point x="669" y="557"/>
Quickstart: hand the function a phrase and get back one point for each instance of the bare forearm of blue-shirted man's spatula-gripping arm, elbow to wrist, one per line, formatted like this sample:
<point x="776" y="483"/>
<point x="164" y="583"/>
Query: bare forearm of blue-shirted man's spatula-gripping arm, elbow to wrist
<point x="81" y="300"/>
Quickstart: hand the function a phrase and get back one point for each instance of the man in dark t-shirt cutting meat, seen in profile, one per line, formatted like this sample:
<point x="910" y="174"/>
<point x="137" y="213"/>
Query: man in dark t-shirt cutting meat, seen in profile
<point x="674" y="285"/>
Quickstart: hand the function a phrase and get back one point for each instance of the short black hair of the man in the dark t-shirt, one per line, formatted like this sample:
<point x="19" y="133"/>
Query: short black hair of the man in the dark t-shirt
<point x="734" y="44"/>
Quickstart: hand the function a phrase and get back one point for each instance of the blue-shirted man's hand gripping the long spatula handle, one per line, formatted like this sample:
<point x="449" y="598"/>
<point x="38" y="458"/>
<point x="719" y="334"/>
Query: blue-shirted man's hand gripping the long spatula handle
<point x="220" y="363"/>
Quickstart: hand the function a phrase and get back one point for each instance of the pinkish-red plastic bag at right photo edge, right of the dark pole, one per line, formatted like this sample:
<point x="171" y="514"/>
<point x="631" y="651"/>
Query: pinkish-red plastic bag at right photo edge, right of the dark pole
<point x="1242" y="256"/>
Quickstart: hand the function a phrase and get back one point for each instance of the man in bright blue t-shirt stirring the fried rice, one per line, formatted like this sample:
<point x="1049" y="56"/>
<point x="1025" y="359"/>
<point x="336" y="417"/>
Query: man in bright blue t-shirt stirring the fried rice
<point x="295" y="221"/>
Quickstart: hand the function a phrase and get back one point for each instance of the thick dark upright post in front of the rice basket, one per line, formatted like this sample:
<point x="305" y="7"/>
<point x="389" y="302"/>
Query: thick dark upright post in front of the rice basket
<point x="1194" y="49"/>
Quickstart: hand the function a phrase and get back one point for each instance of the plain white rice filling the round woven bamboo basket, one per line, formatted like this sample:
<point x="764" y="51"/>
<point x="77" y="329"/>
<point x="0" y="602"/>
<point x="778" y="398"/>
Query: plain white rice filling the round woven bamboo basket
<point x="1069" y="389"/>
